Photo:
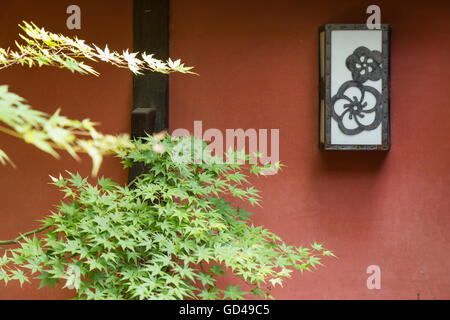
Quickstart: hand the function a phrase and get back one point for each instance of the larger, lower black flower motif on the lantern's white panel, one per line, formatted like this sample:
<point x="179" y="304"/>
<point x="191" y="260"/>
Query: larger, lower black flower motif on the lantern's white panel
<point x="356" y="108"/>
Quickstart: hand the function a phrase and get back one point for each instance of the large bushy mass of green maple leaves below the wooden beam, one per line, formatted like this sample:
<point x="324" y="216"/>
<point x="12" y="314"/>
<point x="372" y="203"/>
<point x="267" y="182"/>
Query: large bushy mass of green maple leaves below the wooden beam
<point x="169" y="235"/>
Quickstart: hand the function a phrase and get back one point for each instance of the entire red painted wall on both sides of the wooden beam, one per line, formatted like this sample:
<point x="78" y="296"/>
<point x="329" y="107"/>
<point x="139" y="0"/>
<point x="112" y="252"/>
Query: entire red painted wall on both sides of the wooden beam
<point x="258" y="69"/>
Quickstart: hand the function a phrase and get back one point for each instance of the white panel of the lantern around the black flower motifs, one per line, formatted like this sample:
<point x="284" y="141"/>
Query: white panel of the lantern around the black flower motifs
<point x="343" y="44"/>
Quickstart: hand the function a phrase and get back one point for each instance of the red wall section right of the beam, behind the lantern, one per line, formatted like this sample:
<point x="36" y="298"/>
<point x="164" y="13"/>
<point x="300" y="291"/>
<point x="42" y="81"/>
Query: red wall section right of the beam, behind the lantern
<point x="258" y="63"/>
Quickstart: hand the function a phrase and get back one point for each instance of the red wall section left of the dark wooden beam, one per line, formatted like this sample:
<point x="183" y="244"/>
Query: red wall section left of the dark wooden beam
<point x="25" y="195"/>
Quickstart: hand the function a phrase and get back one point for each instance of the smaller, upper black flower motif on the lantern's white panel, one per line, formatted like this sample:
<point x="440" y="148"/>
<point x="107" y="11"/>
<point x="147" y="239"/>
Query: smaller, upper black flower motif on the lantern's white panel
<point x="365" y="64"/>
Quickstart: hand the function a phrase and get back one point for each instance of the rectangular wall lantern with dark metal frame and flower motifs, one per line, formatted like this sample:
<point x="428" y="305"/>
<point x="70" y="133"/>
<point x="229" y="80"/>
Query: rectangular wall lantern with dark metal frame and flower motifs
<point x="354" y="87"/>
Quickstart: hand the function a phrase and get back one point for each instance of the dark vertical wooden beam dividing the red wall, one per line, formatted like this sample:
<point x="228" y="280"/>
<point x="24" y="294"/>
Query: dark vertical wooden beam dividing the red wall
<point x="150" y="91"/>
